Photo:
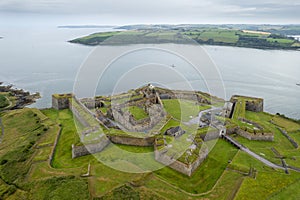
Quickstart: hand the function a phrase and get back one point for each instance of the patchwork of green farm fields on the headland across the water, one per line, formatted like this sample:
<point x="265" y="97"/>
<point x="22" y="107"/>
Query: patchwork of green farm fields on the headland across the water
<point x="205" y="35"/>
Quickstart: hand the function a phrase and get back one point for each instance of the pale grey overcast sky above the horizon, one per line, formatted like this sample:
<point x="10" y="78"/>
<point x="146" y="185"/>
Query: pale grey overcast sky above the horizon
<point x="119" y="12"/>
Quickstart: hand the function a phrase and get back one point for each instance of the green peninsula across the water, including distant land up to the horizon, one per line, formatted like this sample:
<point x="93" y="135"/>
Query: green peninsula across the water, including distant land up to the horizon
<point x="250" y="36"/>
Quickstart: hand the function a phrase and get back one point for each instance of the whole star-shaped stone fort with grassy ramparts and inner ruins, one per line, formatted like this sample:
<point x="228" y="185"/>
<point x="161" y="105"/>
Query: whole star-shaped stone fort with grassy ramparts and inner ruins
<point x="177" y="123"/>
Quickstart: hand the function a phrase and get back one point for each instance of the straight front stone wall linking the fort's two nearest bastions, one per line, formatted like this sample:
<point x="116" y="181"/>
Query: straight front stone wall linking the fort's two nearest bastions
<point x="143" y="142"/>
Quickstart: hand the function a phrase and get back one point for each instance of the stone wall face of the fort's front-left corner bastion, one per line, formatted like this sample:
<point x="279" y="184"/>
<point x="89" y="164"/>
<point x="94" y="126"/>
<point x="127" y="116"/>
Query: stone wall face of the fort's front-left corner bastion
<point x="78" y="151"/>
